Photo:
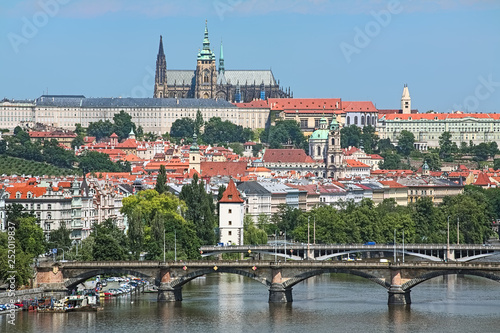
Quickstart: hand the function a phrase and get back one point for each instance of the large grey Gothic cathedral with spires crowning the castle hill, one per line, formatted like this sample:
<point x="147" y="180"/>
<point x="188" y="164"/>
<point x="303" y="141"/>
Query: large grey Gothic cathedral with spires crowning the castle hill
<point x="209" y="82"/>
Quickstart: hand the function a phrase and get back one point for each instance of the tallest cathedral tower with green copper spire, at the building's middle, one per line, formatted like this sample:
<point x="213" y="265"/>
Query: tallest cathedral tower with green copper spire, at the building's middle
<point x="206" y="74"/>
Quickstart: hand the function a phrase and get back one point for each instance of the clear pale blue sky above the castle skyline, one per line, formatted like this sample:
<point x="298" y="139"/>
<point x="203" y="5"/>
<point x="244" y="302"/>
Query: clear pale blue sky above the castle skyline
<point x="447" y="51"/>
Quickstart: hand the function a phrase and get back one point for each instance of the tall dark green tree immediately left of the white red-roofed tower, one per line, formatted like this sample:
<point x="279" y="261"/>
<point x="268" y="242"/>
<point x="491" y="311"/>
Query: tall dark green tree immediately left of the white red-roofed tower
<point x="200" y="210"/>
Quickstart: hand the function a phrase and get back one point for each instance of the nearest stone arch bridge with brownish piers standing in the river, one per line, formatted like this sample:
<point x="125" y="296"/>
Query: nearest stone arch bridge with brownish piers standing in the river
<point x="278" y="277"/>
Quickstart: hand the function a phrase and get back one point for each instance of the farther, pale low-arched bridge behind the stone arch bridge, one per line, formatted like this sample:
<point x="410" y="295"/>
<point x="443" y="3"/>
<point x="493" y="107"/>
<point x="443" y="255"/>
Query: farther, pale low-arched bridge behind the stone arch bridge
<point x="302" y="251"/>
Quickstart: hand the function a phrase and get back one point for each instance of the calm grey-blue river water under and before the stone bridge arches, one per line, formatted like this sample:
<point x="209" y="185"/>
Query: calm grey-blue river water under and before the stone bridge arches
<point x="327" y="303"/>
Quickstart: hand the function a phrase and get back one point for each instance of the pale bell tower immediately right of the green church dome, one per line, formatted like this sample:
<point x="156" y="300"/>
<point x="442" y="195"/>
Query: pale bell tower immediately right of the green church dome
<point x="335" y="164"/>
